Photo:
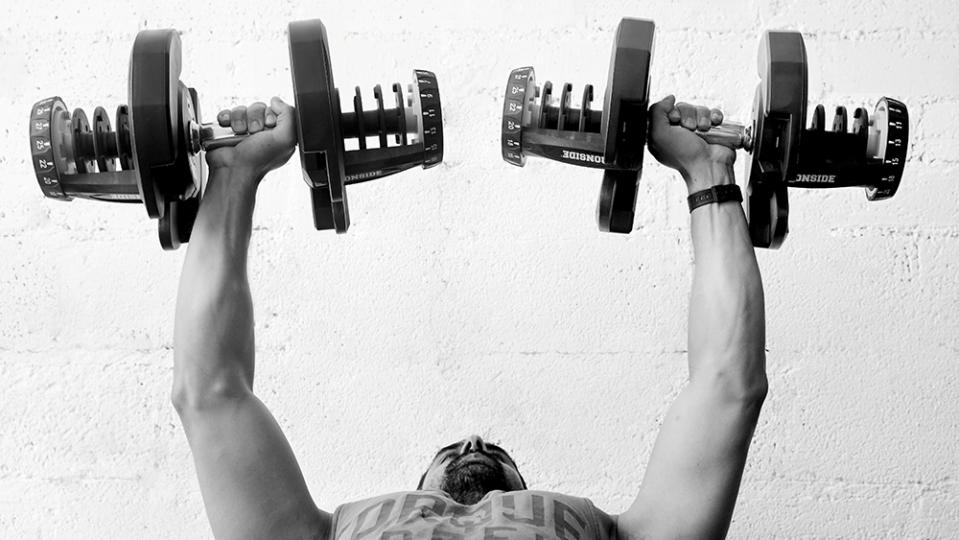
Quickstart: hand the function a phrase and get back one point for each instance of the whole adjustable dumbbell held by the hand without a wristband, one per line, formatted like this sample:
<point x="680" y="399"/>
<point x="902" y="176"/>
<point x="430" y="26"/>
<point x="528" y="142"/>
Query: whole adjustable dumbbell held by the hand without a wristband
<point x="154" y="155"/>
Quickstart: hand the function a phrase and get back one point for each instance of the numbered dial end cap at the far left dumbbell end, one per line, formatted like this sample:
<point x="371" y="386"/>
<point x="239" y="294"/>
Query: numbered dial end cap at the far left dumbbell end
<point x="49" y="132"/>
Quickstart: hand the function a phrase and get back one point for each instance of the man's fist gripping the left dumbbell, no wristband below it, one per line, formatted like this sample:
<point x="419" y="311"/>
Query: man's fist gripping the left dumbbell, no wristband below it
<point x="270" y="144"/>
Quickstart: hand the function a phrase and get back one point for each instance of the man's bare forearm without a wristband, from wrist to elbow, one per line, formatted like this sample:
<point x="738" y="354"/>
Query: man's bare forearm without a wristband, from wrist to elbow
<point x="213" y="335"/>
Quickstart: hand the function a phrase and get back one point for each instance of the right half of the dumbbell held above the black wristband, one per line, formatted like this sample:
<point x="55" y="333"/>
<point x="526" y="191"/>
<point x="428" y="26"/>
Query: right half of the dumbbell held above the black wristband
<point x="785" y="154"/>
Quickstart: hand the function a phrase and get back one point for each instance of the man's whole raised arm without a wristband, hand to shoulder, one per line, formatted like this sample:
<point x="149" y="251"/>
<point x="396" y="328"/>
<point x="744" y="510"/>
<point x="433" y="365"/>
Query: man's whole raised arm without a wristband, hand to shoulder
<point x="251" y="484"/>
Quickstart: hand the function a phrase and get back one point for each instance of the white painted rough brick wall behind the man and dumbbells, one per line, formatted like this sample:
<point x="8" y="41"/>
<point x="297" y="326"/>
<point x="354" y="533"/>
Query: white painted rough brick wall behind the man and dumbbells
<point x="480" y="297"/>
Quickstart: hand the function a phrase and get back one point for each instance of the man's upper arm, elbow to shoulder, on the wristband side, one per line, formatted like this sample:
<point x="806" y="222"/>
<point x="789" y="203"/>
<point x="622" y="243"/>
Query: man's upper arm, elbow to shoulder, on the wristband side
<point x="694" y="472"/>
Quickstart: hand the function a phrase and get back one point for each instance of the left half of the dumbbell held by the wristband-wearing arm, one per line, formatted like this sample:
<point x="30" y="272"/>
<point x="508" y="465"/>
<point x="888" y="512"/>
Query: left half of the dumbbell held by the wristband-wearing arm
<point x="612" y="139"/>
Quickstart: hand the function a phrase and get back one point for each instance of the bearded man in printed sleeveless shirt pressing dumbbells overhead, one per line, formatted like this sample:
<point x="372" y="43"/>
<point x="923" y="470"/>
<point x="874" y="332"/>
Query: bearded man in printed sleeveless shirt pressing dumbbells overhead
<point x="253" y="488"/>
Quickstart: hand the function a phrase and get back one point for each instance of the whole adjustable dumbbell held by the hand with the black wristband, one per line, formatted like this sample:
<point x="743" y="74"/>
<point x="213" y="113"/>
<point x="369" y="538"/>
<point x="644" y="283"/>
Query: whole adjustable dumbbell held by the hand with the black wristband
<point x="783" y="152"/>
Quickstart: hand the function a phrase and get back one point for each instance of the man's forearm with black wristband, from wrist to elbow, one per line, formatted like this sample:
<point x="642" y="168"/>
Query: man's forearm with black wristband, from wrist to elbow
<point x="726" y="317"/>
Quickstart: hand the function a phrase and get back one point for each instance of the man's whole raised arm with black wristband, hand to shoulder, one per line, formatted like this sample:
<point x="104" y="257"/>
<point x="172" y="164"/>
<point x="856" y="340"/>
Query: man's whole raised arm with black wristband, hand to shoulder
<point x="693" y="475"/>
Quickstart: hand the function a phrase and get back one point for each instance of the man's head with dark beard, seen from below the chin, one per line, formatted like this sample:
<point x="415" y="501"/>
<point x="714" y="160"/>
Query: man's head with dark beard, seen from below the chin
<point x="469" y="469"/>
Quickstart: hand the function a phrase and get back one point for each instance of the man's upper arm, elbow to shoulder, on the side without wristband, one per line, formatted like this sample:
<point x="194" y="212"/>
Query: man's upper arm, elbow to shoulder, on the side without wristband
<point x="251" y="483"/>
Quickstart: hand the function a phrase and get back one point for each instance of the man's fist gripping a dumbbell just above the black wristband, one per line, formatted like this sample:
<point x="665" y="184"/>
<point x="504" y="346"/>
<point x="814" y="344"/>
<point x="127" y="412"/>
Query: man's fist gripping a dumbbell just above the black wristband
<point x="672" y="141"/>
